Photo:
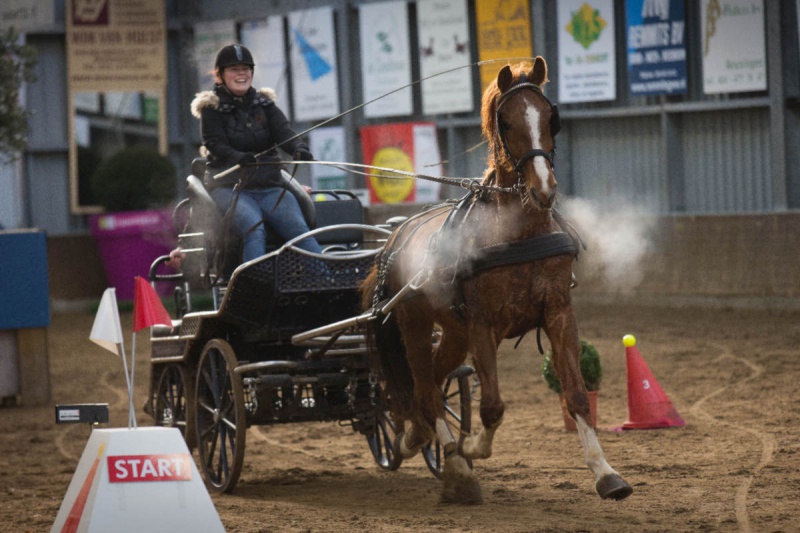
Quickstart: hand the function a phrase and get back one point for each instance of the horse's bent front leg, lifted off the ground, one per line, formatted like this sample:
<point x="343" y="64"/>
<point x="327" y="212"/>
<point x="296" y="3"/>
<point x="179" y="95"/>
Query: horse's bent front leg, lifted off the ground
<point x="484" y="351"/>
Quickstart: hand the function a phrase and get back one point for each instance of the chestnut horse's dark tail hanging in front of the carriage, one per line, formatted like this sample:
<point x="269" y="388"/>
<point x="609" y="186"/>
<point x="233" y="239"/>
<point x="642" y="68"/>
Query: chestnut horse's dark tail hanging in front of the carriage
<point x="388" y="352"/>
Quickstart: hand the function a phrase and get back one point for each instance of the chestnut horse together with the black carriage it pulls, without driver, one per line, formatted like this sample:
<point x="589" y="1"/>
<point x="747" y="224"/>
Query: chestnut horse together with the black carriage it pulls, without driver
<point x="287" y="338"/>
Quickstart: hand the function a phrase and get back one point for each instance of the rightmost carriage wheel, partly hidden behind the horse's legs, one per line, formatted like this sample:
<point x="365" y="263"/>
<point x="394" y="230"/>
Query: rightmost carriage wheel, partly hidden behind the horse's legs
<point x="457" y="398"/>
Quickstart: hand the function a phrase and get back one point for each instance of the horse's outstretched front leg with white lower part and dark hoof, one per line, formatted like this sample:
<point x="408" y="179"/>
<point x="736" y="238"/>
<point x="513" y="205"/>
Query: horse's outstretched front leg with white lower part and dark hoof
<point x="563" y="334"/>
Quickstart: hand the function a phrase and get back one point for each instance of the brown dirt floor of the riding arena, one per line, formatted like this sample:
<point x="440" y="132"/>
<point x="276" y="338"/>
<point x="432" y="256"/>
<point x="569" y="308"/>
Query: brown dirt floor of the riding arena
<point x="731" y="374"/>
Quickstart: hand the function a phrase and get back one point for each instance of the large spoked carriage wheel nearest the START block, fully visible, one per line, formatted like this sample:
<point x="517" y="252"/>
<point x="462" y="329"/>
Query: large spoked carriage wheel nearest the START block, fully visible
<point x="220" y="416"/>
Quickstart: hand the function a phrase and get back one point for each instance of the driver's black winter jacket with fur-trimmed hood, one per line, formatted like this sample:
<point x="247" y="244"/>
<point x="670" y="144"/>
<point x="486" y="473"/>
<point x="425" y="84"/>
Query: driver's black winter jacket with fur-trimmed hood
<point x="231" y="127"/>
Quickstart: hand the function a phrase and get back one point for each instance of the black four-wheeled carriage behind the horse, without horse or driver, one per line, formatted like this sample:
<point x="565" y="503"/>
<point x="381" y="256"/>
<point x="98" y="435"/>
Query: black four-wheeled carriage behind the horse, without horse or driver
<point x="283" y="340"/>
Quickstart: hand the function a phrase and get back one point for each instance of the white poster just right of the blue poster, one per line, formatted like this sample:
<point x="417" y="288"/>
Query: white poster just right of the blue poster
<point x="734" y="47"/>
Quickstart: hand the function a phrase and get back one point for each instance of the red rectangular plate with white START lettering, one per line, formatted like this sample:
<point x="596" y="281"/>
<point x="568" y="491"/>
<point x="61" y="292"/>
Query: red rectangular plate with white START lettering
<point x="162" y="467"/>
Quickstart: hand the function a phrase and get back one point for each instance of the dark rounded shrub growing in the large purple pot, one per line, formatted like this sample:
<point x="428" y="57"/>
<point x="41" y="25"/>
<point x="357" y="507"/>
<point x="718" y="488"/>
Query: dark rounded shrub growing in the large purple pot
<point x="135" y="178"/>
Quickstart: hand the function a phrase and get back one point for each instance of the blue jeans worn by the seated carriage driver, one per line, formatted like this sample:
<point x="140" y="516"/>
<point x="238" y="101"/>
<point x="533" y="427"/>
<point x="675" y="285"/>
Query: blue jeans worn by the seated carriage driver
<point x="255" y="205"/>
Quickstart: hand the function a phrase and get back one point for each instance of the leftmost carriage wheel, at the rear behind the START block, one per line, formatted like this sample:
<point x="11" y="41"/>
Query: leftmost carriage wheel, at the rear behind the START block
<point x="172" y="399"/>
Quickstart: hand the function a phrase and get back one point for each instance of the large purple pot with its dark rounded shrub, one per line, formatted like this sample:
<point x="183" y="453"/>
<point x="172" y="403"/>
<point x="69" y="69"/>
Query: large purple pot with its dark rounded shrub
<point x="135" y="187"/>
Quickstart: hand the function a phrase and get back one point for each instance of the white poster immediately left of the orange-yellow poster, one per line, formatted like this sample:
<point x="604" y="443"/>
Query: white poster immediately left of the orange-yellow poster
<point x="443" y="46"/>
